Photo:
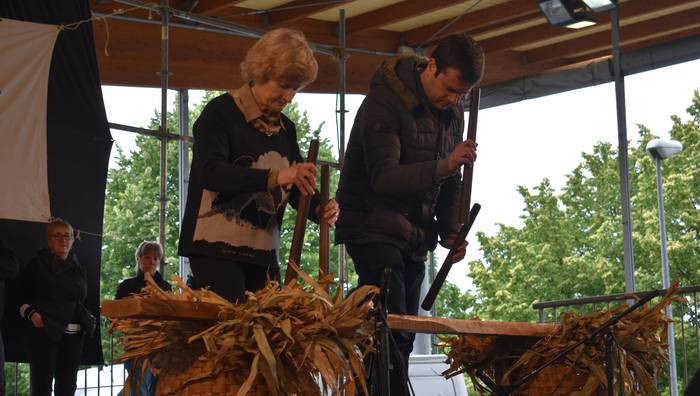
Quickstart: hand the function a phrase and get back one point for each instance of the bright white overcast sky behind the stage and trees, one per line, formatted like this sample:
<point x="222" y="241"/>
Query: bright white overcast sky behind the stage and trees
<point x="519" y="144"/>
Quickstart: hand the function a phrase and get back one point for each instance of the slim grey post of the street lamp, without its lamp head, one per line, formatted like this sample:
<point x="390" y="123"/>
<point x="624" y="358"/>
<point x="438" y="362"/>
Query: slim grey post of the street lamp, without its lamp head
<point x="666" y="280"/>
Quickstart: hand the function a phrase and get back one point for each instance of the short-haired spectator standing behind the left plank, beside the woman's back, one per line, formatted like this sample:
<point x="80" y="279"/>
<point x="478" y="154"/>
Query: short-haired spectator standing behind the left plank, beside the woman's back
<point x="148" y="256"/>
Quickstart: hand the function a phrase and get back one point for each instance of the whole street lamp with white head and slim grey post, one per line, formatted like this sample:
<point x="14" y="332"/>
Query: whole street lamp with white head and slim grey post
<point x="660" y="149"/>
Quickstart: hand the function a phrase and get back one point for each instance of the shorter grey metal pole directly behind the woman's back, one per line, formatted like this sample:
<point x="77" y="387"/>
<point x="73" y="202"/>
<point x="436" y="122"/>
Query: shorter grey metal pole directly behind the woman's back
<point x="183" y="118"/>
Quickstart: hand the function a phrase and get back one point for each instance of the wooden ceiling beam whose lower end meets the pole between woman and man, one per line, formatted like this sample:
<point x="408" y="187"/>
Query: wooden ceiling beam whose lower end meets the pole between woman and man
<point x="395" y="13"/>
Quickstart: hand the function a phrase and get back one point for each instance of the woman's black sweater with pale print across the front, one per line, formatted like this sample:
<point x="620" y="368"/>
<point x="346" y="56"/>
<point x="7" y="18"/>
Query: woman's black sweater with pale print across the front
<point x="229" y="213"/>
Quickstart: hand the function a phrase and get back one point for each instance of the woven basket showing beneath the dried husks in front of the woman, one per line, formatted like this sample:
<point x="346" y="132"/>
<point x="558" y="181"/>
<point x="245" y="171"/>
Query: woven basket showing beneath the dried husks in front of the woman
<point x="211" y="386"/>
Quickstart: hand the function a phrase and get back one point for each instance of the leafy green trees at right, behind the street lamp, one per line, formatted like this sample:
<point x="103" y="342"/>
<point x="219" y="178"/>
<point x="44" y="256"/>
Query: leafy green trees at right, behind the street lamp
<point x="571" y="243"/>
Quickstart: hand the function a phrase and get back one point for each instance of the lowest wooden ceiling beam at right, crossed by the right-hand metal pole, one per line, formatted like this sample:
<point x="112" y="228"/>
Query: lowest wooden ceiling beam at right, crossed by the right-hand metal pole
<point x="629" y="32"/>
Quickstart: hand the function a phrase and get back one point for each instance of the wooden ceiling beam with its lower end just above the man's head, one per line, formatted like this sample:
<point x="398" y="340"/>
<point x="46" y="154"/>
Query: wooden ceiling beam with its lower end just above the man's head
<point x="483" y="18"/>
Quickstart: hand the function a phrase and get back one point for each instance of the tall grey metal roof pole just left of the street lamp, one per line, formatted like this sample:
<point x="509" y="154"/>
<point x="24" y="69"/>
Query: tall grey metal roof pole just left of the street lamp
<point x="622" y="155"/>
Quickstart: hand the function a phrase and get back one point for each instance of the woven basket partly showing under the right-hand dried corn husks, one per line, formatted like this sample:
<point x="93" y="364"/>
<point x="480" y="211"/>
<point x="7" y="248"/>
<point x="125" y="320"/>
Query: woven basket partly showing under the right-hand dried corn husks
<point x="555" y="380"/>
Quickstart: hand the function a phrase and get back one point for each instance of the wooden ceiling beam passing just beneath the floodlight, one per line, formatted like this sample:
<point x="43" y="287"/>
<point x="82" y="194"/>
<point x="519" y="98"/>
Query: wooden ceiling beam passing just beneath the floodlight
<point x="547" y="31"/>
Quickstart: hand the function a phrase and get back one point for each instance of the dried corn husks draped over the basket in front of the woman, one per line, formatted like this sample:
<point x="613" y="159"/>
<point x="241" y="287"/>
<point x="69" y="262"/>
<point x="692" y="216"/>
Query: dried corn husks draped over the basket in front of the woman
<point x="292" y="340"/>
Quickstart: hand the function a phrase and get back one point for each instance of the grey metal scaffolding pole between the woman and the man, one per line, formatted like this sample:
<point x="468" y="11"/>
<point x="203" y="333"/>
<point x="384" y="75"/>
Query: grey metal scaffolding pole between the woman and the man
<point x="342" y="64"/>
